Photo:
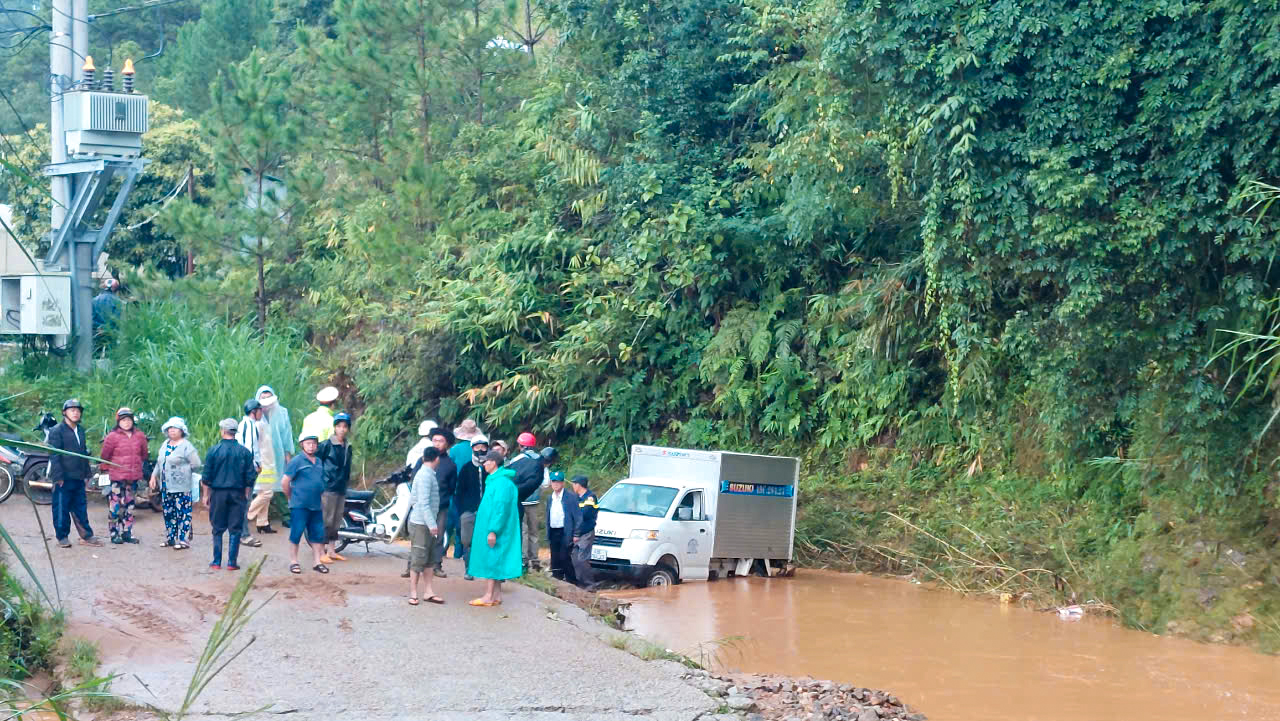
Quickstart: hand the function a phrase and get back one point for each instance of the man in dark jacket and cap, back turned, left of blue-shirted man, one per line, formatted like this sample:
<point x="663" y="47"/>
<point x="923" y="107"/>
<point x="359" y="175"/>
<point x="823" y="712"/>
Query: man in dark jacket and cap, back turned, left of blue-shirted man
<point x="228" y="481"/>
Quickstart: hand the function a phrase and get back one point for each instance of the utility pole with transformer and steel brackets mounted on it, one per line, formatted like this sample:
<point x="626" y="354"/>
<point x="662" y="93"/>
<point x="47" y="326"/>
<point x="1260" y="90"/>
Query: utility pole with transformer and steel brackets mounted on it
<point x="95" y="133"/>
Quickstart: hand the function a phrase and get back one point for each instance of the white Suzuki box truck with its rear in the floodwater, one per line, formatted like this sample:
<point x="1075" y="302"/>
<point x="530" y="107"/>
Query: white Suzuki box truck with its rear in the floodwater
<point x="697" y="515"/>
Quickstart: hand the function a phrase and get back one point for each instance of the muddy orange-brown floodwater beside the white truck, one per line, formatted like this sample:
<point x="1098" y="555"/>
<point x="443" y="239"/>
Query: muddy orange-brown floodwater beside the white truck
<point x="952" y="658"/>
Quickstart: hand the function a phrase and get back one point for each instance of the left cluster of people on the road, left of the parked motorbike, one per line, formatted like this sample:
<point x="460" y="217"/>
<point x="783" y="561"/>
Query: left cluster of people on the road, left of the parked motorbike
<point x="254" y="459"/>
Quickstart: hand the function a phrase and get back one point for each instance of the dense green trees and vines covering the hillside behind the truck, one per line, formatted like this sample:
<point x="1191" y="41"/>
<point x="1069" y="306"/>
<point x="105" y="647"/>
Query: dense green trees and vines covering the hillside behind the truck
<point x="1000" y="273"/>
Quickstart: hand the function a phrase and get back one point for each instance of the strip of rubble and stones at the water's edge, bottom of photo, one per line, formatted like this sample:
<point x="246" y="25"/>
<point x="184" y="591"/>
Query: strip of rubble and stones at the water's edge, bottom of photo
<point x="783" y="699"/>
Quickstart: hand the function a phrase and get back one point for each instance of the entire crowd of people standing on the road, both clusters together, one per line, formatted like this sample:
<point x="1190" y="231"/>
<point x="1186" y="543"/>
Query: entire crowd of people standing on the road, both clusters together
<point x="465" y="489"/>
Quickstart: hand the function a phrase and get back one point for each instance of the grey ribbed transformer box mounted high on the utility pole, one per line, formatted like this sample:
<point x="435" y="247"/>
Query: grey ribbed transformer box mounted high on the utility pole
<point x="104" y="125"/>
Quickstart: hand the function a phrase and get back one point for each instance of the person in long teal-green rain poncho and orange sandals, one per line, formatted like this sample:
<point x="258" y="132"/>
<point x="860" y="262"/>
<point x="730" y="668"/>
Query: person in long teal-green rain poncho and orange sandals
<point x="496" y="542"/>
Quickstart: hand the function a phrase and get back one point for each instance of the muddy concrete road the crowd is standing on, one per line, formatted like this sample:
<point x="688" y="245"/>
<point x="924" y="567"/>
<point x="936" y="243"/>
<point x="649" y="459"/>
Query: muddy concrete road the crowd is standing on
<point x="345" y="645"/>
